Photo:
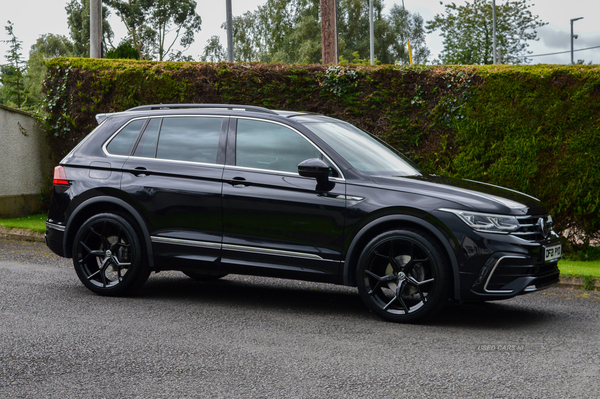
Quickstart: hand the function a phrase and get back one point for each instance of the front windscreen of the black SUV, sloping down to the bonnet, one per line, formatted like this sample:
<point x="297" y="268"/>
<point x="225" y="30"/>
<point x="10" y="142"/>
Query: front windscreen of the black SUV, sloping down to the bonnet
<point x="363" y="151"/>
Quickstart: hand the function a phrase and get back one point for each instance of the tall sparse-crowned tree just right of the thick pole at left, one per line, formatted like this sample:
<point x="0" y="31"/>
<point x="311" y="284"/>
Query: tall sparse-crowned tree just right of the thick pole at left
<point x="154" y="26"/>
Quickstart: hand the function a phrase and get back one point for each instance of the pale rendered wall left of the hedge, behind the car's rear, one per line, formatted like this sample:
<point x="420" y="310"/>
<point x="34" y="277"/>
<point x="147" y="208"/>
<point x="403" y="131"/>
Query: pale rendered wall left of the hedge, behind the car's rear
<point x="24" y="164"/>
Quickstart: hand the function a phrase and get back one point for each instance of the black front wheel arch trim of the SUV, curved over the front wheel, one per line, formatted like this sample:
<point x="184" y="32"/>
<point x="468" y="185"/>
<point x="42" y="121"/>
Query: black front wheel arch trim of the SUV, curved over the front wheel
<point x="392" y="222"/>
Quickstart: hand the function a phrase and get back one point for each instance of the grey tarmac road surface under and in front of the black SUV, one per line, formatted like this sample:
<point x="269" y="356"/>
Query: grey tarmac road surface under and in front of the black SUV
<point x="250" y="337"/>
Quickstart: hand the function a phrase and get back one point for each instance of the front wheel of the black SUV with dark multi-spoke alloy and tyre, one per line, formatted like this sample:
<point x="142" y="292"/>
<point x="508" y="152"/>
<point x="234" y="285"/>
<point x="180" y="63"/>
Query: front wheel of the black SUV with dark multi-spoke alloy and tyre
<point x="403" y="275"/>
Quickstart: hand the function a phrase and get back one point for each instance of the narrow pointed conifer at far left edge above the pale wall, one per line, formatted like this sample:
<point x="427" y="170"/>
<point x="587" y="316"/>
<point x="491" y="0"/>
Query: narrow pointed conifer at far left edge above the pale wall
<point x="12" y="74"/>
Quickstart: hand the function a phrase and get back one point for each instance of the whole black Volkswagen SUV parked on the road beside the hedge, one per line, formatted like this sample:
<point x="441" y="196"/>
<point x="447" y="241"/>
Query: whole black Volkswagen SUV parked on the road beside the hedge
<point x="216" y="189"/>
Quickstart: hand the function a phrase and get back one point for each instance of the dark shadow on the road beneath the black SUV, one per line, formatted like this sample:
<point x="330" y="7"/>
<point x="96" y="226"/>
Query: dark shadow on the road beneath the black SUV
<point x="250" y="293"/>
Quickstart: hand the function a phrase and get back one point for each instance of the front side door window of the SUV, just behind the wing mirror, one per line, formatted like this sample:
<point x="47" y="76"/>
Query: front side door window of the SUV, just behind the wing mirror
<point x="265" y="145"/>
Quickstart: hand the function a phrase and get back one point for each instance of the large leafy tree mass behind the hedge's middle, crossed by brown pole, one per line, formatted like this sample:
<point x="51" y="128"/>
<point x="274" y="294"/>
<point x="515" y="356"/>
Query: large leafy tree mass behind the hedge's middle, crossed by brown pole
<point x="289" y="31"/>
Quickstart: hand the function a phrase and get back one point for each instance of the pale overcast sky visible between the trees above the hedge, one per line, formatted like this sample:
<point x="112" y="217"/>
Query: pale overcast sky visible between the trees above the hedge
<point x="32" y="18"/>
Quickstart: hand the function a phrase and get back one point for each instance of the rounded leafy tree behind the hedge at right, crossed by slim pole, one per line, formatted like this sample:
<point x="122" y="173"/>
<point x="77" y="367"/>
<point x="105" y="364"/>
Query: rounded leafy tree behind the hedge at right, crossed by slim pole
<point x="468" y="31"/>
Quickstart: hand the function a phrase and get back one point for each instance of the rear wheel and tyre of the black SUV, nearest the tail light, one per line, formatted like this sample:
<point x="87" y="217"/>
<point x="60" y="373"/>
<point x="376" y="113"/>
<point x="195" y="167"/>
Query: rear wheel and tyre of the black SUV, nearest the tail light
<point x="108" y="256"/>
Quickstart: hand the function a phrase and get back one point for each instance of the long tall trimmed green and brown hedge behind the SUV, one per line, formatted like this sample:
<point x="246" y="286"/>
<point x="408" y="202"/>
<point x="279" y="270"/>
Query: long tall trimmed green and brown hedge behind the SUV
<point x="530" y="128"/>
